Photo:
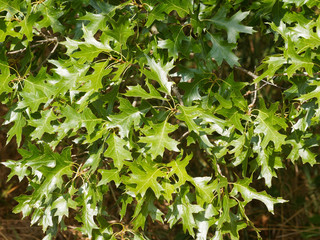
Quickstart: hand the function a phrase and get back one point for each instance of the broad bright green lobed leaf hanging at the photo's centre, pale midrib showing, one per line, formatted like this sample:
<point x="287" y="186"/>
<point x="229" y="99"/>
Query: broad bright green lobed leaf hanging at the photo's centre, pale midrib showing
<point x="157" y="139"/>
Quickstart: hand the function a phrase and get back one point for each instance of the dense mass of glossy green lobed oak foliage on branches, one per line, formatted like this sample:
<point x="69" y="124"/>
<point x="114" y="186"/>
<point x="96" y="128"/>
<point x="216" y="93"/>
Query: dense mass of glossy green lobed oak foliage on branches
<point x="141" y="111"/>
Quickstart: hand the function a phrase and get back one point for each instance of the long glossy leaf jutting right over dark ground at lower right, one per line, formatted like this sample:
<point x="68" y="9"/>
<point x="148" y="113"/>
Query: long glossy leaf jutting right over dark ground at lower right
<point x="248" y="193"/>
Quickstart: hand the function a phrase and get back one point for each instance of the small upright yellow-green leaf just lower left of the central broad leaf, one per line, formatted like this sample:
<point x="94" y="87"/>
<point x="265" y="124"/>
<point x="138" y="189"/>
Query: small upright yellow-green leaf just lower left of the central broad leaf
<point x="117" y="151"/>
